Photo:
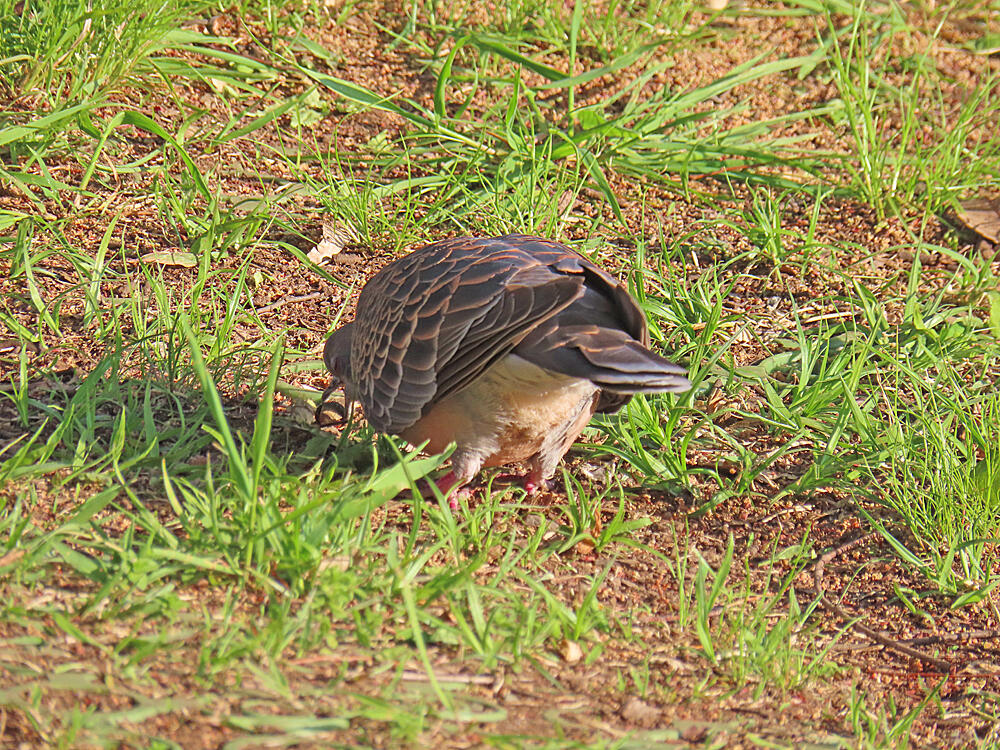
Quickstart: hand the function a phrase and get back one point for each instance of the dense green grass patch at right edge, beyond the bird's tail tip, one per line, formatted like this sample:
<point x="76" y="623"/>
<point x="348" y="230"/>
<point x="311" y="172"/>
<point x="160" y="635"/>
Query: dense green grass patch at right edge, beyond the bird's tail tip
<point x="919" y="421"/>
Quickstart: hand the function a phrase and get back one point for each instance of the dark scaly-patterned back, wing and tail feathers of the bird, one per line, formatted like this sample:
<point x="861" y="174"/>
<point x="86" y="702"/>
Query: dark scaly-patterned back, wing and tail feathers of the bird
<point x="434" y="321"/>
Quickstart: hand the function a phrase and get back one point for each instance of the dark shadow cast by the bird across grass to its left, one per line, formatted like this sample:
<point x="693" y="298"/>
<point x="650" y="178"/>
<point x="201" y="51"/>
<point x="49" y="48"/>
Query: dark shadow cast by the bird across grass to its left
<point x="91" y="426"/>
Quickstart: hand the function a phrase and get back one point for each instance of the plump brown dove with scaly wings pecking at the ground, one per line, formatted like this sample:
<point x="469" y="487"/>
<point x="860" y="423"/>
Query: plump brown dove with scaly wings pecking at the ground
<point x="505" y="346"/>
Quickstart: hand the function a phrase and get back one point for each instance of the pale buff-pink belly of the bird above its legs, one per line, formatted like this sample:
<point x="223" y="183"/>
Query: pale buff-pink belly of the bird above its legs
<point x="507" y="413"/>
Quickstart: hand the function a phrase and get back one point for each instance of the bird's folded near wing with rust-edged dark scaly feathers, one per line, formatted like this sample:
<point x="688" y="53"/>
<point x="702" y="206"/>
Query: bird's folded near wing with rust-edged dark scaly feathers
<point x="435" y="324"/>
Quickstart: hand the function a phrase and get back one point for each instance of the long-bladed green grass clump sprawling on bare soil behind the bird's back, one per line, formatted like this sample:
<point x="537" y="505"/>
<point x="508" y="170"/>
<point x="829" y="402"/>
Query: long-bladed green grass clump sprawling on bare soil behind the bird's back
<point x="521" y="141"/>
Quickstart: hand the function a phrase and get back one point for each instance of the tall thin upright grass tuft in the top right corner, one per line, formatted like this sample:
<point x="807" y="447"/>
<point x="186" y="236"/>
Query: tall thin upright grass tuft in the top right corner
<point x="934" y="155"/>
